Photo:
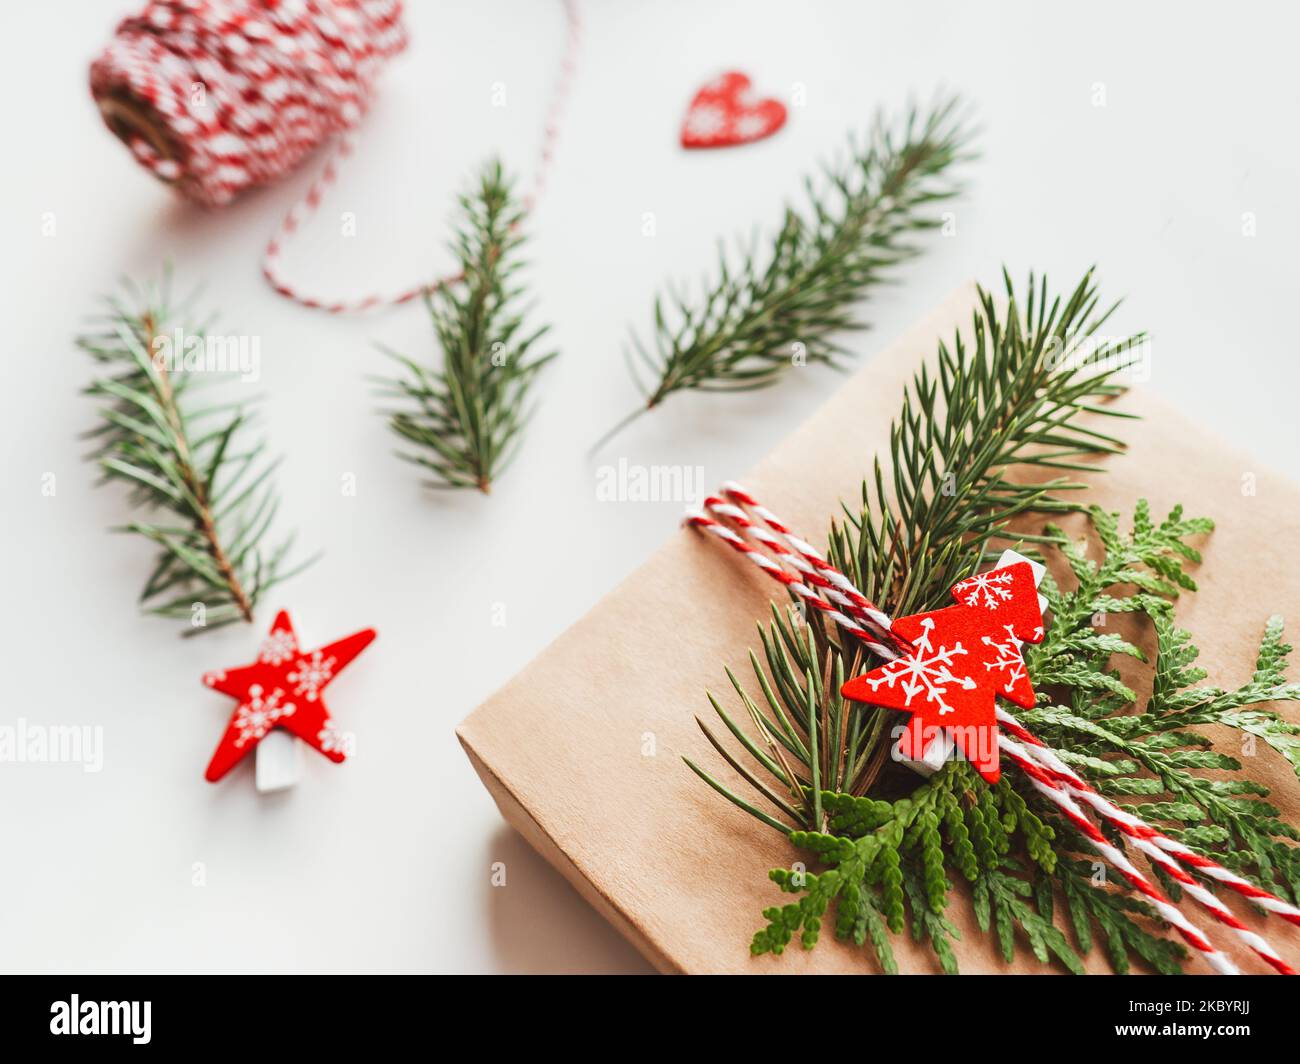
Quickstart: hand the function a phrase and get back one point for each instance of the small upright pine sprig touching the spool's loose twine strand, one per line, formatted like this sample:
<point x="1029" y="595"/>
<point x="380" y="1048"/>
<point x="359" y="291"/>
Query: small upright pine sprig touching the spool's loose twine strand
<point x="466" y="414"/>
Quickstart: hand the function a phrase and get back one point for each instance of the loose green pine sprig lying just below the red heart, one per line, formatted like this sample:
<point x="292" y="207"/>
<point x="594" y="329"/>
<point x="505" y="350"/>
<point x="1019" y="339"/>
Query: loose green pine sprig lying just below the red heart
<point x="778" y="304"/>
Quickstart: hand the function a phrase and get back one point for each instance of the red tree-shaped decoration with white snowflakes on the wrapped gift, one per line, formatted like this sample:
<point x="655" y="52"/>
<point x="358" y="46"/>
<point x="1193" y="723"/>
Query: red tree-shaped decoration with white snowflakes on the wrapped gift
<point x="963" y="659"/>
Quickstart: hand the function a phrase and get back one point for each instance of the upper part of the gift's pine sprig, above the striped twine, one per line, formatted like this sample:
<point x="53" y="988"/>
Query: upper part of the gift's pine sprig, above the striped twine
<point x="1015" y="393"/>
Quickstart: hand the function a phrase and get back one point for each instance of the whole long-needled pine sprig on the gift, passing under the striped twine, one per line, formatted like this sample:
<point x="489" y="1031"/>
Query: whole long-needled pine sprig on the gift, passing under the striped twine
<point x="1015" y="393"/>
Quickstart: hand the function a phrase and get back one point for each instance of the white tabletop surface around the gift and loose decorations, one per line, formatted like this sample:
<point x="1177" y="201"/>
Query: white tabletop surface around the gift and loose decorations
<point x="384" y="863"/>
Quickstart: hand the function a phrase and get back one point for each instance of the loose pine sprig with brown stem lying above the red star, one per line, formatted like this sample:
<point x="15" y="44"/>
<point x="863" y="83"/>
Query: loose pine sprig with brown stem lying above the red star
<point x="187" y="461"/>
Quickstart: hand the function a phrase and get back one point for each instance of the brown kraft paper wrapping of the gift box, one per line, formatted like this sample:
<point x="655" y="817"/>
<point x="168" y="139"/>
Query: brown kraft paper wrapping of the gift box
<point x="675" y="867"/>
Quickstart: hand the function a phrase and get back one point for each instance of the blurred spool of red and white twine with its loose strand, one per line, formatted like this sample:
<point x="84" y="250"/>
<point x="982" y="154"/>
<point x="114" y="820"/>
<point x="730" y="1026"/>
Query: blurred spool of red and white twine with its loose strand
<point x="216" y="97"/>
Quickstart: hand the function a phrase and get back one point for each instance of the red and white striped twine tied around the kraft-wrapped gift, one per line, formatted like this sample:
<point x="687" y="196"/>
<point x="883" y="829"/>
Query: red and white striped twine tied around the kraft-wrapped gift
<point x="827" y="590"/>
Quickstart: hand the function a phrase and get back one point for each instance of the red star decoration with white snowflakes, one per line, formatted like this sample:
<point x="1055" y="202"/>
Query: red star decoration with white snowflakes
<point x="283" y="690"/>
